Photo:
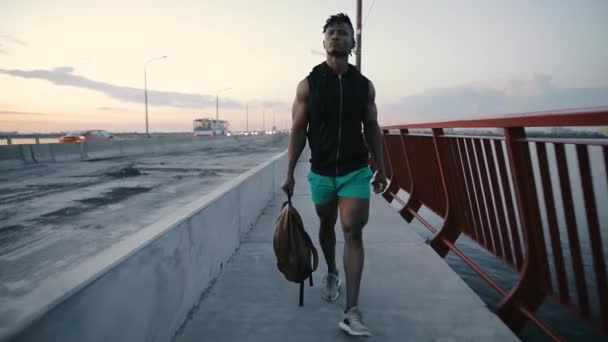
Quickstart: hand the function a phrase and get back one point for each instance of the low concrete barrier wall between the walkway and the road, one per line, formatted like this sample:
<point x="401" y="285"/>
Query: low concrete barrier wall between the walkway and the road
<point x="143" y="288"/>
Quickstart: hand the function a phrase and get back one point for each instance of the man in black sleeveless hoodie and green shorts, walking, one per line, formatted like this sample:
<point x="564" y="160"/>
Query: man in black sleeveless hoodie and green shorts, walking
<point x="331" y="107"/>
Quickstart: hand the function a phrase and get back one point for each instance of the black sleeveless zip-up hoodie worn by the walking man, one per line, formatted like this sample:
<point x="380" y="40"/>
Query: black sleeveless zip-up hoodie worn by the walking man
<point x="336" y="111"/>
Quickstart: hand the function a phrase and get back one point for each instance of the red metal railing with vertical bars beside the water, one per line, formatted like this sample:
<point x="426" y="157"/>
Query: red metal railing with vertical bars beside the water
<point x="486" y="188"/>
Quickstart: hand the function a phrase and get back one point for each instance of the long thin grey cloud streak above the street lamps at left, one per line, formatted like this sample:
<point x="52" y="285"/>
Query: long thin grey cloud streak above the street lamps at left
<point x="64" y="76"/>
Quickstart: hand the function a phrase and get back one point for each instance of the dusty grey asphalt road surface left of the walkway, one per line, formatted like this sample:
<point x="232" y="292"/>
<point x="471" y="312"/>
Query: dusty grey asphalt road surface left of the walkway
<point x="53" y="215"/>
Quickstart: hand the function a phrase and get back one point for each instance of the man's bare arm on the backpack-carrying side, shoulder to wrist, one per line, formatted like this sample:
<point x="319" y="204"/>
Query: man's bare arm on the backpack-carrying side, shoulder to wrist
<point x="297" y="139"/>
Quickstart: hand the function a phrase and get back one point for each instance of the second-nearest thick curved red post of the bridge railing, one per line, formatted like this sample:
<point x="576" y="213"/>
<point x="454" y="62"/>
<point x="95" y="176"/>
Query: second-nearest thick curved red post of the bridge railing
<point x="449" y="232"/>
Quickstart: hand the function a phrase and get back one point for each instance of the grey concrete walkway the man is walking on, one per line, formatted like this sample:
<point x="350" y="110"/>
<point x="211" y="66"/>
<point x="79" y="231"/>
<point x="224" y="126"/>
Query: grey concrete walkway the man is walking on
<point x="408" y="293"/>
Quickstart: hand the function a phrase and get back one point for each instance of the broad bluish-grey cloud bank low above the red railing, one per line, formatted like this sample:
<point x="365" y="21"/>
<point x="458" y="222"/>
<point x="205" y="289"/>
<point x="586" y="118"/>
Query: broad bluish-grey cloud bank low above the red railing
<point x="537" y="93"/>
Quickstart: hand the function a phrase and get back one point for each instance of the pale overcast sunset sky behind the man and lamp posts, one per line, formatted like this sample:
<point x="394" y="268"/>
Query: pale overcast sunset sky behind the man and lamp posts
<point x="73" y="64"/>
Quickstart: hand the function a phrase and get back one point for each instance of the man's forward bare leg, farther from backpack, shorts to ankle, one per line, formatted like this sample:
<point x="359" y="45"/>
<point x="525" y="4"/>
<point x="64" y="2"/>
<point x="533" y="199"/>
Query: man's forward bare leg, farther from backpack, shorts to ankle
<point x="354" y="213"/>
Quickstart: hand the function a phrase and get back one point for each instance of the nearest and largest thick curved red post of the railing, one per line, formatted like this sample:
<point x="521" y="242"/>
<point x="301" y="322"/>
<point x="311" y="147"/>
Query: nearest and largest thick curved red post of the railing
<point x="532" y="286"/>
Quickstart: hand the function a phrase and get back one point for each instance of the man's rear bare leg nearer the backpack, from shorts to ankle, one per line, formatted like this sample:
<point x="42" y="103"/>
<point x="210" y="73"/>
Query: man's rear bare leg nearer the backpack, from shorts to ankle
<point x="328" y="214"/>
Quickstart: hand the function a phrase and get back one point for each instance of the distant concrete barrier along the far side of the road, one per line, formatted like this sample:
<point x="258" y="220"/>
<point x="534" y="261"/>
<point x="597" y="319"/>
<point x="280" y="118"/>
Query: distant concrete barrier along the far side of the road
<point x="15" y="155"/>
